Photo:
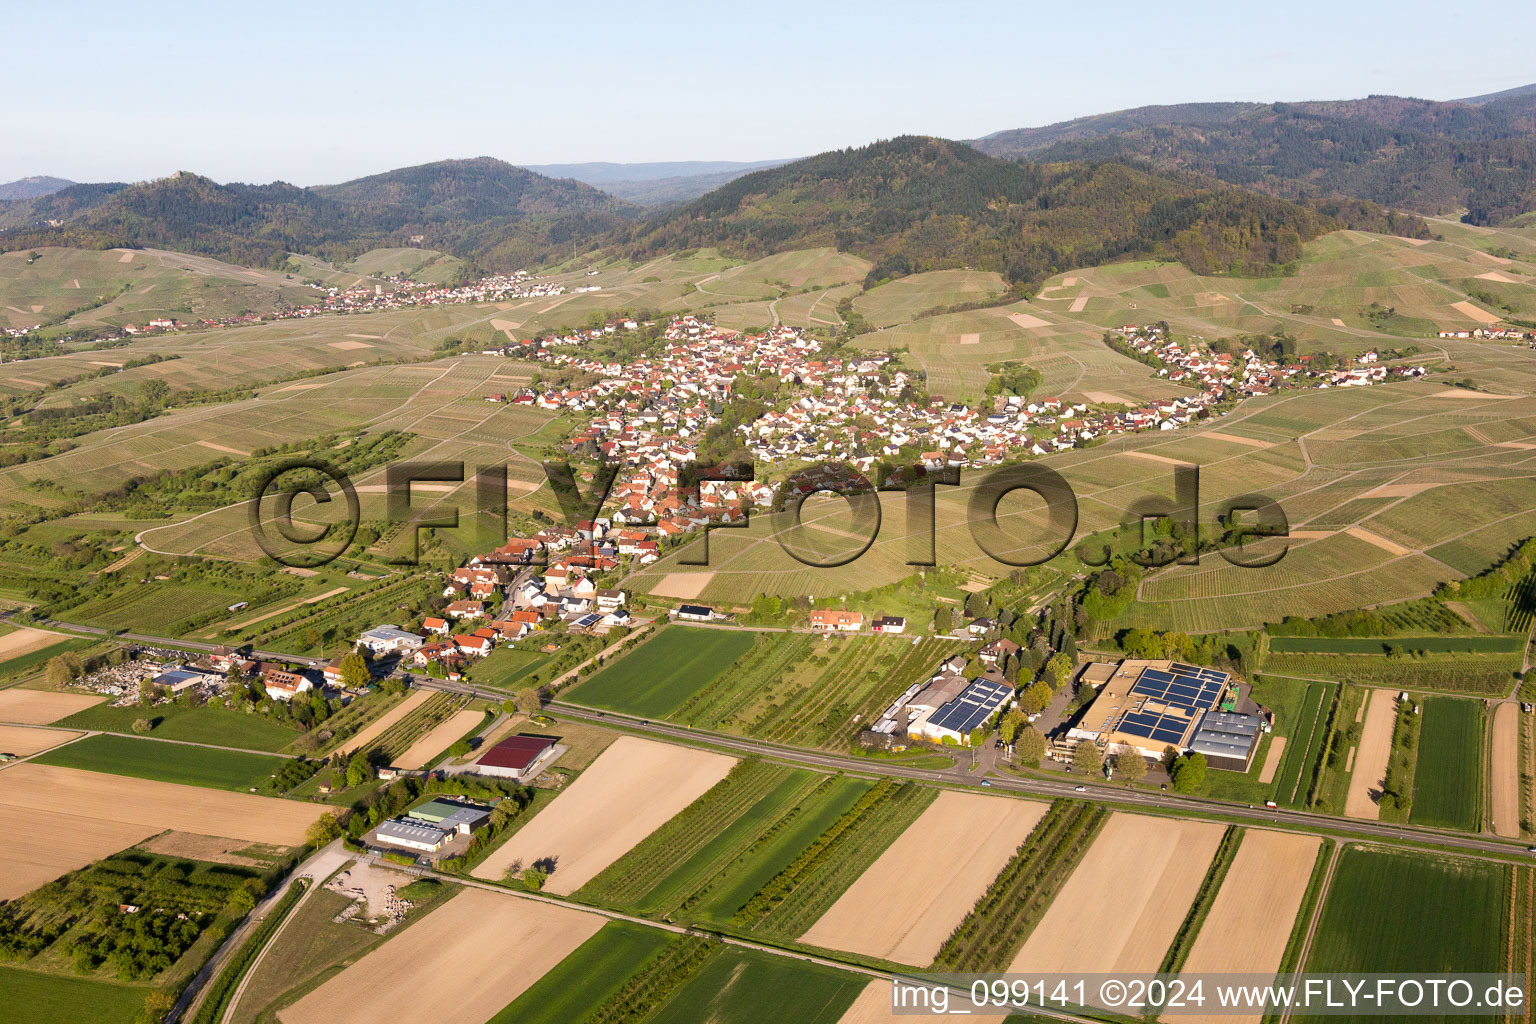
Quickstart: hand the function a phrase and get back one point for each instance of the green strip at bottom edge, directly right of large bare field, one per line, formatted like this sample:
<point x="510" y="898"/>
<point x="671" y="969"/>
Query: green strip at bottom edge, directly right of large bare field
<point x="589" y="977"/>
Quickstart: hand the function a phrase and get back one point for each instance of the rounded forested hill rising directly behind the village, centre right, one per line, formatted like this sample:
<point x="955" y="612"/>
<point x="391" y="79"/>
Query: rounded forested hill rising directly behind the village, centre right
<point x="919" y="203"/>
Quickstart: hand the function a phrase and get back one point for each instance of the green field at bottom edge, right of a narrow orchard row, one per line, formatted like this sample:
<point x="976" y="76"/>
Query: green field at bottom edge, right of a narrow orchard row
<point x="744" y="986"/>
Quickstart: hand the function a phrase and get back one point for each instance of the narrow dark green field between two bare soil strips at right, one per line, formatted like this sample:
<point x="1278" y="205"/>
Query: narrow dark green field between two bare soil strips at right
<point x="1448" y="785"/>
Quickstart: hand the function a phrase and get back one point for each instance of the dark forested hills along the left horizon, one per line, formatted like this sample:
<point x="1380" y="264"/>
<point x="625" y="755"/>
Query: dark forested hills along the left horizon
<point x="483" y="210"/>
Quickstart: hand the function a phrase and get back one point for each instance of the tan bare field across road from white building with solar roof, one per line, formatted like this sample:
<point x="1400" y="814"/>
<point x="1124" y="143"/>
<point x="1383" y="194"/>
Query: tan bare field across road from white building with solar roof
<point x="884" y="916"/>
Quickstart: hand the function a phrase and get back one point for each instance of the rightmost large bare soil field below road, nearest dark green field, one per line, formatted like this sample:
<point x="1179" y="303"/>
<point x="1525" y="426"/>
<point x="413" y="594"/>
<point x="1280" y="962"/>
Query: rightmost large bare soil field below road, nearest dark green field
<point x="1251" y="919"/>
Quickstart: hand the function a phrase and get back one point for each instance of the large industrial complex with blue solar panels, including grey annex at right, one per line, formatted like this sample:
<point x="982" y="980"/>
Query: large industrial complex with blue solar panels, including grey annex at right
<point x="1154" y="705"/>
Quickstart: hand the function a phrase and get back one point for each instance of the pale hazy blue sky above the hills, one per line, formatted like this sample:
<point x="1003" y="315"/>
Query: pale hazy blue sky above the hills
<point x="316" y="93"/>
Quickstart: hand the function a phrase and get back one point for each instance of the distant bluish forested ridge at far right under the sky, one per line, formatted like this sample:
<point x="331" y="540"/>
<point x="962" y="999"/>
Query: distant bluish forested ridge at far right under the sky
<point x="1411" y="154"/>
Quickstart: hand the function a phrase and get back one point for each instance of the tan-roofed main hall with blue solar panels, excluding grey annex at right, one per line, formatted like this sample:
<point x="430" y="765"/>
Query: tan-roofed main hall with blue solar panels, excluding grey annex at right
<point x="1151" y="707"/>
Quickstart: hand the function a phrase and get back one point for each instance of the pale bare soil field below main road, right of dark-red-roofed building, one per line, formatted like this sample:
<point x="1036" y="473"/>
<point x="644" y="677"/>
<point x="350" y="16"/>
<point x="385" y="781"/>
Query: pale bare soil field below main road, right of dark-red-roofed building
<point x="631" y="791"/>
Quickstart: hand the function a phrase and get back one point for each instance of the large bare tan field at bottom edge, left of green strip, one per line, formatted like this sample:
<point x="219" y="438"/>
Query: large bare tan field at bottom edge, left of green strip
<point x="460" y="965"/>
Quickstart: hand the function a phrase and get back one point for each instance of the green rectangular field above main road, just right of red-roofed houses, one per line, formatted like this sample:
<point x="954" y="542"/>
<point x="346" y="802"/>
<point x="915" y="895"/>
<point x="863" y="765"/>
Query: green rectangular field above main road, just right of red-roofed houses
<point x="663" y="673"/>
